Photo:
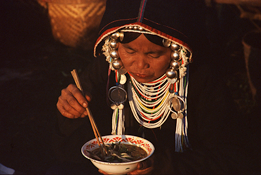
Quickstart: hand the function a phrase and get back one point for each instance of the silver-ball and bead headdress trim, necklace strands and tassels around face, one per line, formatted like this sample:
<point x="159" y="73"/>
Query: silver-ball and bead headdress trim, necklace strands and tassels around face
<point x="151" y="103"/>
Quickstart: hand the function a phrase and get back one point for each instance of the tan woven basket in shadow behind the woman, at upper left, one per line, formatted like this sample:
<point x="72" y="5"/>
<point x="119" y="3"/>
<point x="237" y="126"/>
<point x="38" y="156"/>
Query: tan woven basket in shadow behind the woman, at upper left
<point x="75" y="23"/>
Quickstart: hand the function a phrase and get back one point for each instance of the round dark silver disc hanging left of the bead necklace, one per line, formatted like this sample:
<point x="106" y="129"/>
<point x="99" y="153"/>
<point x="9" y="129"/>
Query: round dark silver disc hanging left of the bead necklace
<point x="117" y="95"/>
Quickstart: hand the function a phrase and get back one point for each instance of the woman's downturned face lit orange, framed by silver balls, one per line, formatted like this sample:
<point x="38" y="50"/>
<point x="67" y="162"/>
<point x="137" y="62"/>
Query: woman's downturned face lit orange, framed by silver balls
<point x="144" y="60"/>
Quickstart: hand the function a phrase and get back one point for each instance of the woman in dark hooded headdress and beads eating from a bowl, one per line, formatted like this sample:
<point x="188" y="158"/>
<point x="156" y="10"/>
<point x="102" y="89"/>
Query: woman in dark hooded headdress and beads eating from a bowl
<point x="148" y="45"/>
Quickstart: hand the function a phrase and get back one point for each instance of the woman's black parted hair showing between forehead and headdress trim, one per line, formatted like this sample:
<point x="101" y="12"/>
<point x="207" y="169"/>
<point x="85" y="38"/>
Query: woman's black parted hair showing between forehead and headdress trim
<point x="130" y="36"/>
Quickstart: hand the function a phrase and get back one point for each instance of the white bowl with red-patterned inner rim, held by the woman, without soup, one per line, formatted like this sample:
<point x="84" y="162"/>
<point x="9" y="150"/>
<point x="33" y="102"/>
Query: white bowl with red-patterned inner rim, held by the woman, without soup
<point x="118" y="168"/>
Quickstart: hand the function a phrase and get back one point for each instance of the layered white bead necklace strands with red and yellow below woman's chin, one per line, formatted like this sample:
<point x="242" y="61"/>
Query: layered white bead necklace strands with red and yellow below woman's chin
<point x="149" y="101"/>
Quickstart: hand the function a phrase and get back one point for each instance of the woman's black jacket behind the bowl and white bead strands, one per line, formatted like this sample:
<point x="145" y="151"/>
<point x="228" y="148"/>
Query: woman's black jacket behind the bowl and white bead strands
<point x="214" y="126"/>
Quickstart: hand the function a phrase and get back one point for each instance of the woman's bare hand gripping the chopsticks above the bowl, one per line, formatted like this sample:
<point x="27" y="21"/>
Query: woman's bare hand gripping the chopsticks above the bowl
<point x="72" y="103"/>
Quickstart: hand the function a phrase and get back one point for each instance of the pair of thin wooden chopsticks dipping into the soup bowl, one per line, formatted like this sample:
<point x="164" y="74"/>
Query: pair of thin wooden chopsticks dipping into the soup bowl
<point x="94" y="127"/>
